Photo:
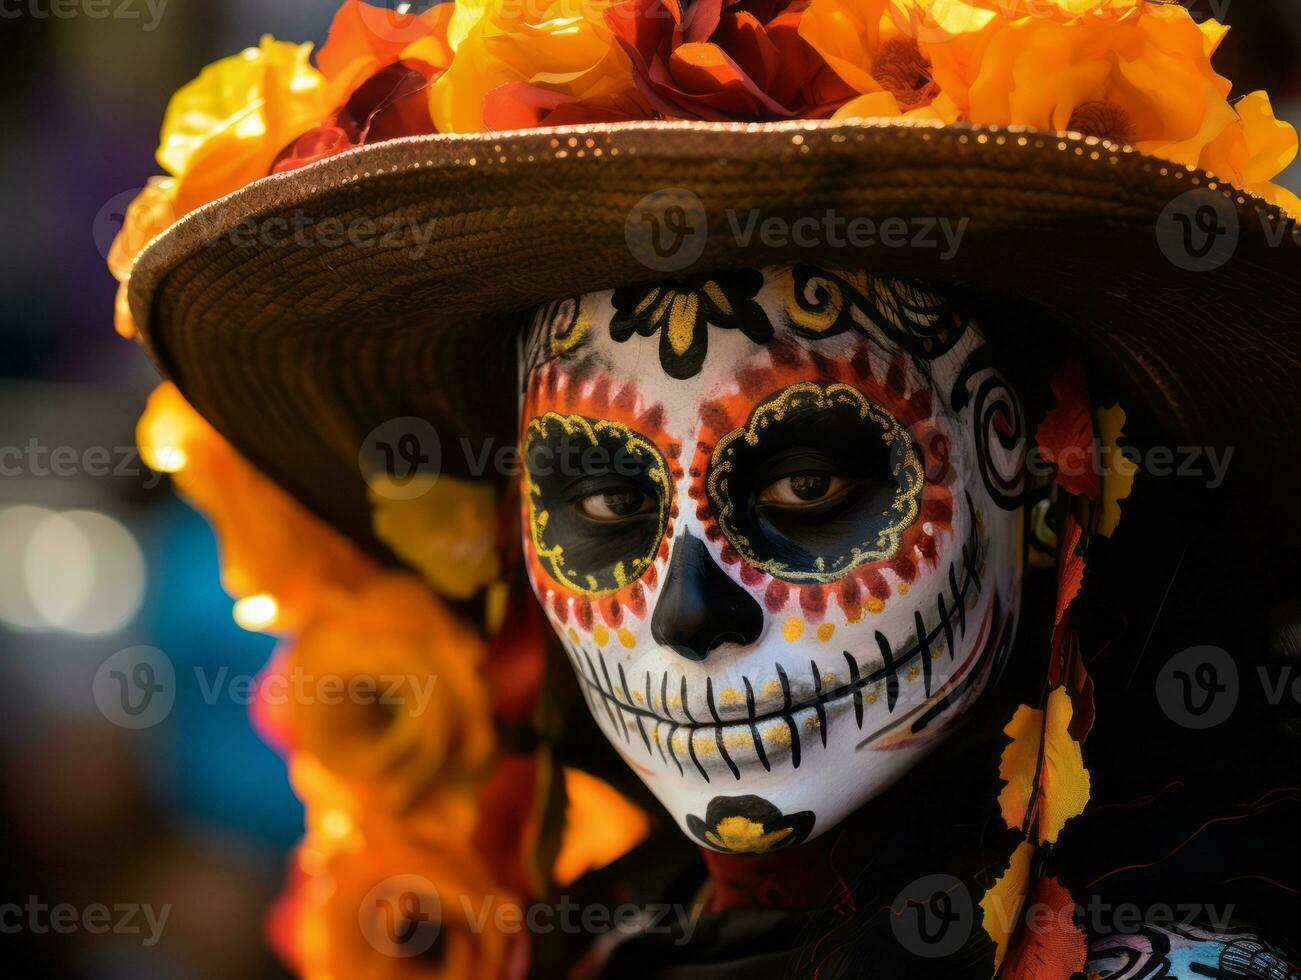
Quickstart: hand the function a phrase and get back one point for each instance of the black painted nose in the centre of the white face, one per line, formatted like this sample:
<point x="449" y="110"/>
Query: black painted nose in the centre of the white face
<point x="701" y="607"/>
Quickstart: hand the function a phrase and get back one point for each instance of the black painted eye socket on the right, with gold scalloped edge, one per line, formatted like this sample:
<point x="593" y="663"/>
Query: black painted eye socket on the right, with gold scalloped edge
<point x="818" y="482"/>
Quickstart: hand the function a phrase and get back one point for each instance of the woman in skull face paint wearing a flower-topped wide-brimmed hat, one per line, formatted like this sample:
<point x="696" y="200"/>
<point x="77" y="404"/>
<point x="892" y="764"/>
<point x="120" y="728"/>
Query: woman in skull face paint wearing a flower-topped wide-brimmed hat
<point x="818" y="444"/>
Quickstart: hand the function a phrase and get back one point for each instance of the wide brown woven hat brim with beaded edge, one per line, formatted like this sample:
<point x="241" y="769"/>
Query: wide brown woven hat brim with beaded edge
<point x="299" y="317"/>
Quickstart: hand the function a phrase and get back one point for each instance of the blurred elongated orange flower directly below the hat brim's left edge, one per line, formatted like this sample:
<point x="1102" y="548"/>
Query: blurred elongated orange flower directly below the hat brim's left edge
<point x="271" y="546"/>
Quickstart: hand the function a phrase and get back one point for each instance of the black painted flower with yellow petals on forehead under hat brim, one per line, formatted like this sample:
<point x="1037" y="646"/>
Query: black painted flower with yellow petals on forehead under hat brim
<point x="685" y="310"/>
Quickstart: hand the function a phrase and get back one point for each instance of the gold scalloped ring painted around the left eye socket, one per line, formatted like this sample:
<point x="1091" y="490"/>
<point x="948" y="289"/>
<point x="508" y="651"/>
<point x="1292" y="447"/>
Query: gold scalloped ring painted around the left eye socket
<point x="552" y="554"/>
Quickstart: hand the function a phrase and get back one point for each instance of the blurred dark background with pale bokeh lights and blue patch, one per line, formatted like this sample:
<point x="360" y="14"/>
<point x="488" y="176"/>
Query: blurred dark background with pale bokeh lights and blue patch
<point x="98" y="556"/>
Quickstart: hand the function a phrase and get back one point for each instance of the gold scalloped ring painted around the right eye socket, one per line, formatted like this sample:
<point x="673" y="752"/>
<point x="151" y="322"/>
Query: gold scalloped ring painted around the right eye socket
<point x="900" y="515"/>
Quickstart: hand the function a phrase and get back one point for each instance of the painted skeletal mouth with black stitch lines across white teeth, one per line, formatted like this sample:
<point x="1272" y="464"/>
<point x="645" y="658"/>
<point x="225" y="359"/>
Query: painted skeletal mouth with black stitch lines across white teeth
<point x="707" y="727"/>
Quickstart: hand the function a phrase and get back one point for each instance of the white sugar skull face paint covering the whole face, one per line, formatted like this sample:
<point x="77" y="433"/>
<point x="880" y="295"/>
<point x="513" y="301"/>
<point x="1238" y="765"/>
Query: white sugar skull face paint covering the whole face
<point x="773" y="519"/>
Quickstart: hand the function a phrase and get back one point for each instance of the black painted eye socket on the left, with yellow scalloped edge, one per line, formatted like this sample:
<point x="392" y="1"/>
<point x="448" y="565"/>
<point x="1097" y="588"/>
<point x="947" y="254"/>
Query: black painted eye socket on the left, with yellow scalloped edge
<point x="599" y="498"/>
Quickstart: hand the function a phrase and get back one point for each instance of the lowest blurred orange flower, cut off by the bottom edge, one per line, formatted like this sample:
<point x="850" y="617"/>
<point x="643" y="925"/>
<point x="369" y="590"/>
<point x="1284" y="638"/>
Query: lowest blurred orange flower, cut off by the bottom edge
<point x="400" y="909"/>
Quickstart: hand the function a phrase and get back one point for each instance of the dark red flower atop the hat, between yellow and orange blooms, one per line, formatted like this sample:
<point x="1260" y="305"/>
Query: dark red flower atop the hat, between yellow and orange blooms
<point x="727" y="59"/>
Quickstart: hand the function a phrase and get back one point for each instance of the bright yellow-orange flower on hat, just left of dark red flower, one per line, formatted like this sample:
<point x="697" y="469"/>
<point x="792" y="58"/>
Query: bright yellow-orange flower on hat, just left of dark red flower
<point x="563" y="46"/>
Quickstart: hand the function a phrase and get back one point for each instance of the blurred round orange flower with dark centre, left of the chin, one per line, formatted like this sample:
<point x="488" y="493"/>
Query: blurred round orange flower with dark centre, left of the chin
<point x="391" y="698"/>
